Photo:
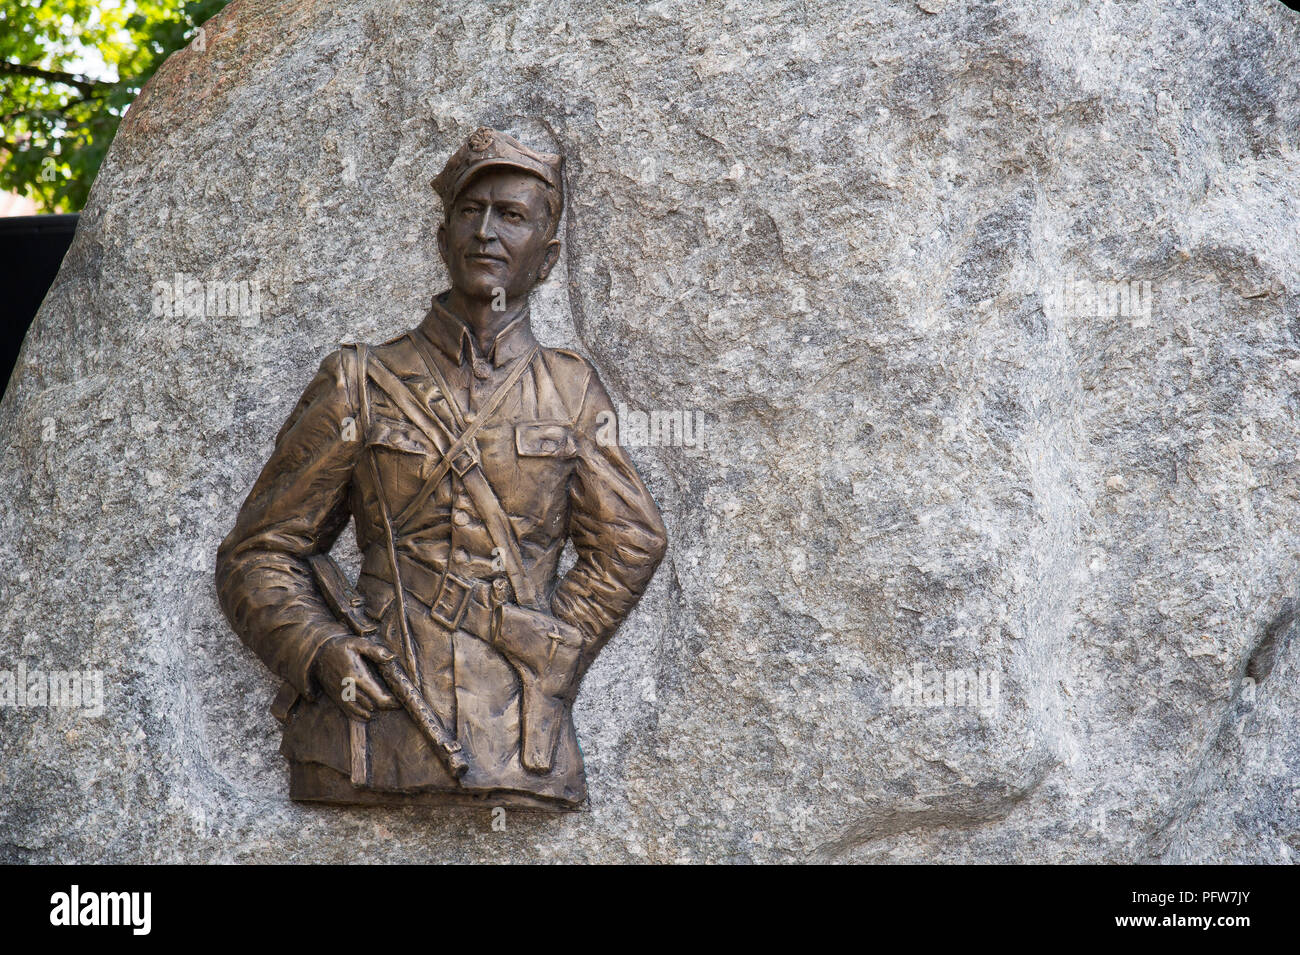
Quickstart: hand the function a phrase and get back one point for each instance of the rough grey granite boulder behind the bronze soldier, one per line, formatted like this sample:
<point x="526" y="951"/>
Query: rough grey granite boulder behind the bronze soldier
<point x="834" y="229"/>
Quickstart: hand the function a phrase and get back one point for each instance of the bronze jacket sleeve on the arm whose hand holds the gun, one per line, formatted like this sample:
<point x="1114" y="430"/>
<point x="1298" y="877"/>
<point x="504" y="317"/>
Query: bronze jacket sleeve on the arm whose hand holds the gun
<point x="297" y="509"/>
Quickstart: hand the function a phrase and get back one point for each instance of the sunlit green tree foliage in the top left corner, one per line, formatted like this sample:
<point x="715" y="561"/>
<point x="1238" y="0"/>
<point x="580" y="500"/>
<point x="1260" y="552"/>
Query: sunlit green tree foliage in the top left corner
<point x="70" y="70"/>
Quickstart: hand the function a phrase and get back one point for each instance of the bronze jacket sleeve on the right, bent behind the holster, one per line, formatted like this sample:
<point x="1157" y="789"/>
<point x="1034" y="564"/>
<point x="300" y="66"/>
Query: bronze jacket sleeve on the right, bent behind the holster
<point x="616" y="528"/>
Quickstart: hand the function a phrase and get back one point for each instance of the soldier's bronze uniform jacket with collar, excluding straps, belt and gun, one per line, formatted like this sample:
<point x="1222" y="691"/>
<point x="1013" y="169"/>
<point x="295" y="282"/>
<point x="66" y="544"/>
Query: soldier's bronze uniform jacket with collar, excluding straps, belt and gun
<point x="556" y="481"/>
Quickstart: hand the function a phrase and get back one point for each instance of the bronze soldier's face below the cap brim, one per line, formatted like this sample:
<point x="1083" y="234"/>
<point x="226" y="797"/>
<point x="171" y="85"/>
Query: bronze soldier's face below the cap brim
<point x="497" y="237"/>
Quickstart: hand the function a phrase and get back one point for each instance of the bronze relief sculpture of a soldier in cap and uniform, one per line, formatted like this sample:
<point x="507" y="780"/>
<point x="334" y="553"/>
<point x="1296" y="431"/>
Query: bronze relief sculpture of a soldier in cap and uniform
<point x="467" y="457"/>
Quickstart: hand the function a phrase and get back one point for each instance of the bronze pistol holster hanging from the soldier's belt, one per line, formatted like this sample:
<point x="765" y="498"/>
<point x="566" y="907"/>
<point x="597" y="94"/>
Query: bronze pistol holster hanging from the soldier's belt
<point x="545" y="653"/>
